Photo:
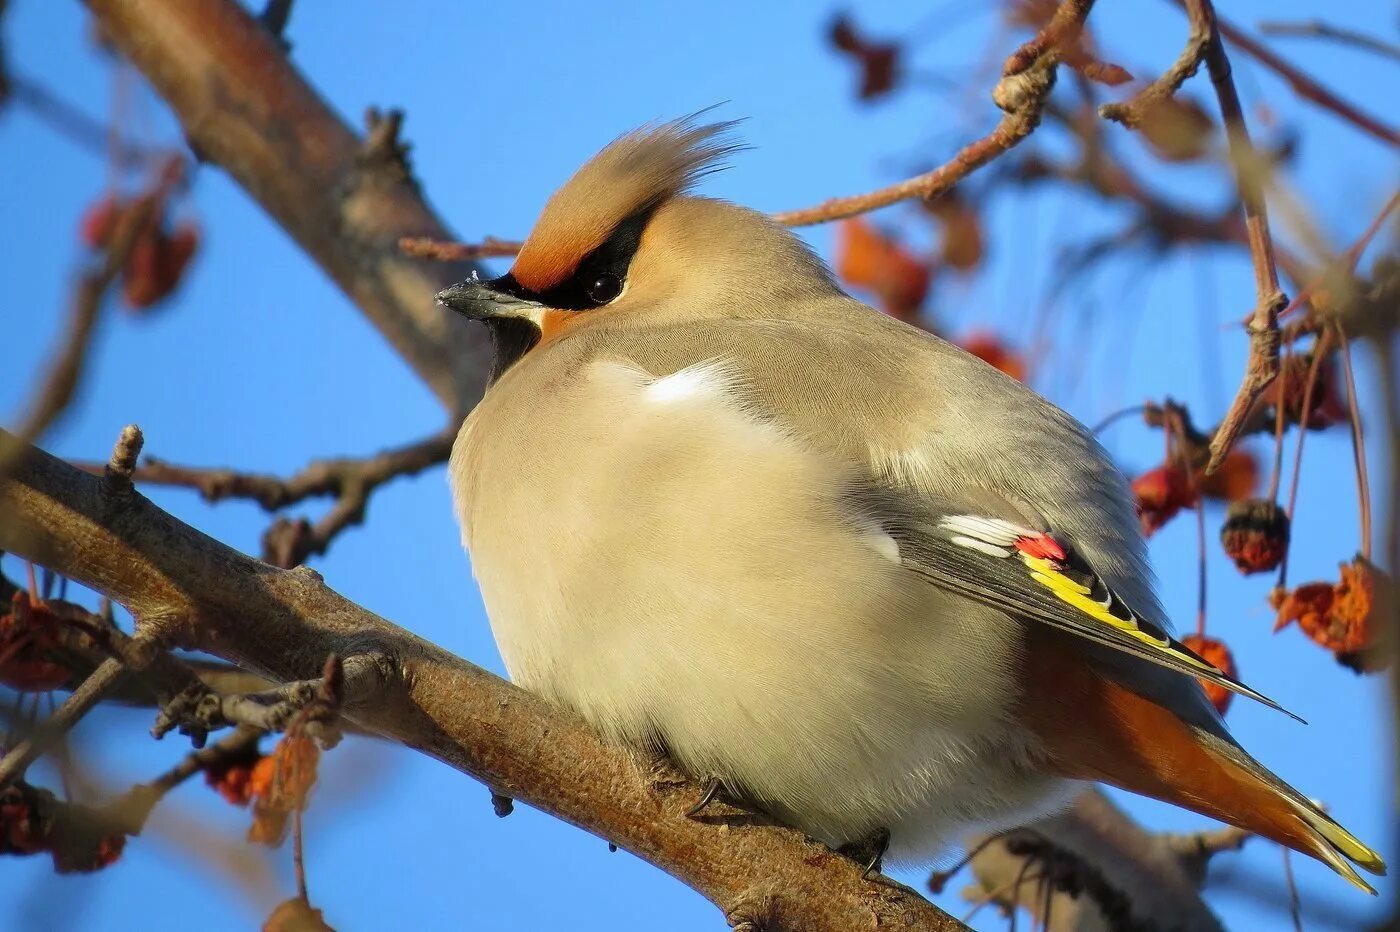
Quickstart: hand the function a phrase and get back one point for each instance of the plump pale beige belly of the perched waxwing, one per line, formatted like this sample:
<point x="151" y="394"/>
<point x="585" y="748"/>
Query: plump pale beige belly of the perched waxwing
<point x="702" y="584"/>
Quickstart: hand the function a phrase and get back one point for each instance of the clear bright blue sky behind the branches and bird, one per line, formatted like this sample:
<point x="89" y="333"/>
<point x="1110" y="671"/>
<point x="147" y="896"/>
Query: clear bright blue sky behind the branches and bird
<point x="261" y="365"/>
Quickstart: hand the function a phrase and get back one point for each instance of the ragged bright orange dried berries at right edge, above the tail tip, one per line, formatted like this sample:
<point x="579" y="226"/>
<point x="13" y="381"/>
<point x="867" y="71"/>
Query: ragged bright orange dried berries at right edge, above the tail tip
<point x="1339" y="616"/>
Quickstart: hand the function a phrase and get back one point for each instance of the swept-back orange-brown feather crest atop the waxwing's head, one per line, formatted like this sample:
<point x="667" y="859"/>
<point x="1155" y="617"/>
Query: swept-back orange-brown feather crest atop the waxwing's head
<point x="632" y="176"/>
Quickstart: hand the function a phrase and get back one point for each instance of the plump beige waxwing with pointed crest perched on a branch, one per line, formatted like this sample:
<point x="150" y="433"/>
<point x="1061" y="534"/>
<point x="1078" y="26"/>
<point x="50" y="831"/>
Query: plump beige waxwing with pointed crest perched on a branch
<point x="822" y="559"/>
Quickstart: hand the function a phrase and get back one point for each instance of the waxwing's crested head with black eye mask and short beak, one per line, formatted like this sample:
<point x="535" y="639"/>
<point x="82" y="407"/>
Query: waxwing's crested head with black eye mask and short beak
<point x="625" y="239"/>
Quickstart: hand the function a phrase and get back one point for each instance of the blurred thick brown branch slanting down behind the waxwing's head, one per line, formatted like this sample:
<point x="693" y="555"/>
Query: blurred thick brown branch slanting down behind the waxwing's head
<point x="346" y="202"/>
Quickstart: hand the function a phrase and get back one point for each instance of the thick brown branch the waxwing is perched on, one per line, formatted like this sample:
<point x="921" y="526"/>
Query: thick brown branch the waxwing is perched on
<point x="191" y="591"/>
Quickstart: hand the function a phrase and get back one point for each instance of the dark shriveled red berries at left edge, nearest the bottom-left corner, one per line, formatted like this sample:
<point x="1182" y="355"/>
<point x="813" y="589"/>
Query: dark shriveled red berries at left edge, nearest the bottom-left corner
<point x="34" y="822"/>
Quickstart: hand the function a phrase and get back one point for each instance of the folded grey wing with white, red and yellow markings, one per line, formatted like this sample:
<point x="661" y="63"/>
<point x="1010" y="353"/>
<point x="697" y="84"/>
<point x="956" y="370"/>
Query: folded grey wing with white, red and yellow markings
<point x="1037" y="576"/>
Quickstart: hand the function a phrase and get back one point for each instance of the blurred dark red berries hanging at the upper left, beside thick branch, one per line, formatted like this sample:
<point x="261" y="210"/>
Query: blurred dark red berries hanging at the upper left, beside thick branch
<point x="159" y="255"/>
